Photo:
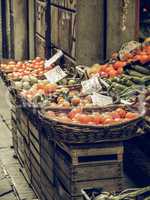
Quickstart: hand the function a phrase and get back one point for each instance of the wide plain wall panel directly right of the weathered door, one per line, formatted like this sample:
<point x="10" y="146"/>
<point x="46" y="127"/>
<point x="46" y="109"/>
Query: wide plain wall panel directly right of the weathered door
<point x="90" y="32"/>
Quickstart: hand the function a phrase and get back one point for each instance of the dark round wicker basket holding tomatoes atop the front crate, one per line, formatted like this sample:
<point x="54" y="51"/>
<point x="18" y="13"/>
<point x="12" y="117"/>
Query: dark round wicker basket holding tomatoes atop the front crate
<point x="78" y="133"/>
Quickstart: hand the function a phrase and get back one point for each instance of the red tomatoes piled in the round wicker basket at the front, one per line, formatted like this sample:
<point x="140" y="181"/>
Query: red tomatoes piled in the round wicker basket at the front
<point x="76" y="115"/>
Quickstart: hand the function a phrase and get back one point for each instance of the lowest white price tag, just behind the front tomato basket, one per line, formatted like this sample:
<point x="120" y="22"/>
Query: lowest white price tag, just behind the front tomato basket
<point x="101" y="100"/>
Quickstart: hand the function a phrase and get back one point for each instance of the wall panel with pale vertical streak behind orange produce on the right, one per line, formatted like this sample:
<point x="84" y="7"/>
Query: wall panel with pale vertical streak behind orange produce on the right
<point x="116" y="37"/>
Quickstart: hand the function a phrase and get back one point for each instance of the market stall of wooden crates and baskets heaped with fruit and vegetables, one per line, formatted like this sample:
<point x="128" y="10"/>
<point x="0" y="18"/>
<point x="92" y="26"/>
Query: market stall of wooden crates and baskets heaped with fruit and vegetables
<point x="63" y="119"/>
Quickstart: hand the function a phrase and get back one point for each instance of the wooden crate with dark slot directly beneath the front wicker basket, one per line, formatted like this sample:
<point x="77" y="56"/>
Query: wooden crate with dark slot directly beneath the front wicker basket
<point x="98" y="165"/>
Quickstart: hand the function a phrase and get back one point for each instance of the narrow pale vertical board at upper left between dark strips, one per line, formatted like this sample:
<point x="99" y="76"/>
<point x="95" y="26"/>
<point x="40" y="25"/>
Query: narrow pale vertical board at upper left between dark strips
<point x="20" y="29"/>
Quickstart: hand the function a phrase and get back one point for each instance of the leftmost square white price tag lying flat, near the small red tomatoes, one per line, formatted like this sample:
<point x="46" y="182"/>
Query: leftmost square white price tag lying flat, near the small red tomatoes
<point x="55" y="74"/>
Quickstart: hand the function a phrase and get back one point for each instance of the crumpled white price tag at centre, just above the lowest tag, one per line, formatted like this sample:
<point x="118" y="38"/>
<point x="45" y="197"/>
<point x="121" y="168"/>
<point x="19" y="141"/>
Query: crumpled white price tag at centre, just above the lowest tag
<point x="91" y="85"/>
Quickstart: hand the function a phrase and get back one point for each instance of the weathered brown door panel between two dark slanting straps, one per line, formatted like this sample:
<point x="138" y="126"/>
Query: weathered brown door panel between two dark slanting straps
<point x="63" y="30"/>
